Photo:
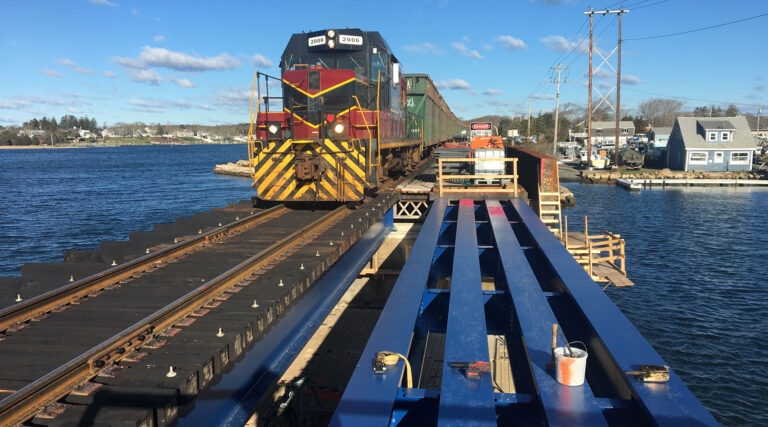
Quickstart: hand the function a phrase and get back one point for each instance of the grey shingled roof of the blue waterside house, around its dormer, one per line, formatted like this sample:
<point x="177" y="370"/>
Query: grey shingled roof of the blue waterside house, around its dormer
<point x="742" y="137"/>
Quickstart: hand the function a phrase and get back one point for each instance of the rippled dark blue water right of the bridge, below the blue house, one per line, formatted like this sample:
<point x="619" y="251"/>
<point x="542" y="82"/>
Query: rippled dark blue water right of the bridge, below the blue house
<point x="698" y="260"/>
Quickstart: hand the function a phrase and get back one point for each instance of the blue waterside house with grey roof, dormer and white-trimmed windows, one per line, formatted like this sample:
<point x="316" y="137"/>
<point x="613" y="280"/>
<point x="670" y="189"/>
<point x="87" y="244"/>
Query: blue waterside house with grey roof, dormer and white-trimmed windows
<point x="713" y="144"/>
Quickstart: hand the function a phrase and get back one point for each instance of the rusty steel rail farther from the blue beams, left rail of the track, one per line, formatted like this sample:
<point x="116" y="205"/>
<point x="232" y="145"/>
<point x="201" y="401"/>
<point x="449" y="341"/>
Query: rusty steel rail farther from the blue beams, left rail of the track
<point x="44" y="303"/>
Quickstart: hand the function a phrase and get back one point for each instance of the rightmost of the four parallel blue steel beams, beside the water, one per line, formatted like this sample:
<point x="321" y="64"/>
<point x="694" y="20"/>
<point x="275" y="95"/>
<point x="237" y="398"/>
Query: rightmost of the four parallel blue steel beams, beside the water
<point x="670" y="403"/>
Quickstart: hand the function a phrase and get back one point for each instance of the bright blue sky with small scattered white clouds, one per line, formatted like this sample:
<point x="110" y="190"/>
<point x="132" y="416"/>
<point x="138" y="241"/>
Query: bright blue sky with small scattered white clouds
<point x="183" y="62"/>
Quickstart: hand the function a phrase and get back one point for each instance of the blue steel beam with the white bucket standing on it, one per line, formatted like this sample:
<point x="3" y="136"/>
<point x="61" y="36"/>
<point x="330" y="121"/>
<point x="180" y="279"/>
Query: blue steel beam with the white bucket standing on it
<point x="563" y="405"/>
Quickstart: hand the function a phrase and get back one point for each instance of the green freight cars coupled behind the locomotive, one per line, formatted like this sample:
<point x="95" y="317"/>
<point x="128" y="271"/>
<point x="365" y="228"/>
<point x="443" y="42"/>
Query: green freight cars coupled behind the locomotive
<point x="427" y="107"/>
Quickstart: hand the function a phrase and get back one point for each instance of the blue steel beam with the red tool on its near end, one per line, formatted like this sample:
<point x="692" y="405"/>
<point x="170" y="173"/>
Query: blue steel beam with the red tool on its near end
<point x="464" y="401"/>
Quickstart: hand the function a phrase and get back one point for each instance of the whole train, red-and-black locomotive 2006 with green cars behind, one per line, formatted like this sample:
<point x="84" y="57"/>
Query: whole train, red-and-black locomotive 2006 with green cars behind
<point x="347" y="119"/>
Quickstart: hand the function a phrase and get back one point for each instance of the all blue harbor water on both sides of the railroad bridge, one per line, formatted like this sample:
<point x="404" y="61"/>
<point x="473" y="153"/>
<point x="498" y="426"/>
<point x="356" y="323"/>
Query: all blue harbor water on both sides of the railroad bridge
<point x="697" y="256"/>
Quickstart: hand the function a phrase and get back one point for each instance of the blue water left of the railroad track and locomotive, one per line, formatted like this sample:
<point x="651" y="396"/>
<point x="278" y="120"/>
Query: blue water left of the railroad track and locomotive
<point x="52" y="200"/>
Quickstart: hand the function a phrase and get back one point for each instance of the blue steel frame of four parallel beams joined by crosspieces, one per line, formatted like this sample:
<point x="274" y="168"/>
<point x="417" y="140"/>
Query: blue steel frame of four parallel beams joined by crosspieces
<point x="531" y="282"/>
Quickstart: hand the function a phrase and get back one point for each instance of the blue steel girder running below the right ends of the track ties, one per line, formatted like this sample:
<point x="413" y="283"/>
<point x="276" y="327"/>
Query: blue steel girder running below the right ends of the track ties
<point x="230" y="401"/>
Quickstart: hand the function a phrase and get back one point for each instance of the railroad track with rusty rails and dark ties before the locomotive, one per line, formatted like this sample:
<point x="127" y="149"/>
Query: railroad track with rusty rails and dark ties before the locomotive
<point x="79" y="304"/>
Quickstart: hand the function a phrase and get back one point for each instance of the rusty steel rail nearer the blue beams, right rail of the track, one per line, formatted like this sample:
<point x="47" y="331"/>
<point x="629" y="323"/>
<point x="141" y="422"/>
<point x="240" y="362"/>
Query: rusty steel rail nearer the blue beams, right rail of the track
<point x="31" y="399"/>
